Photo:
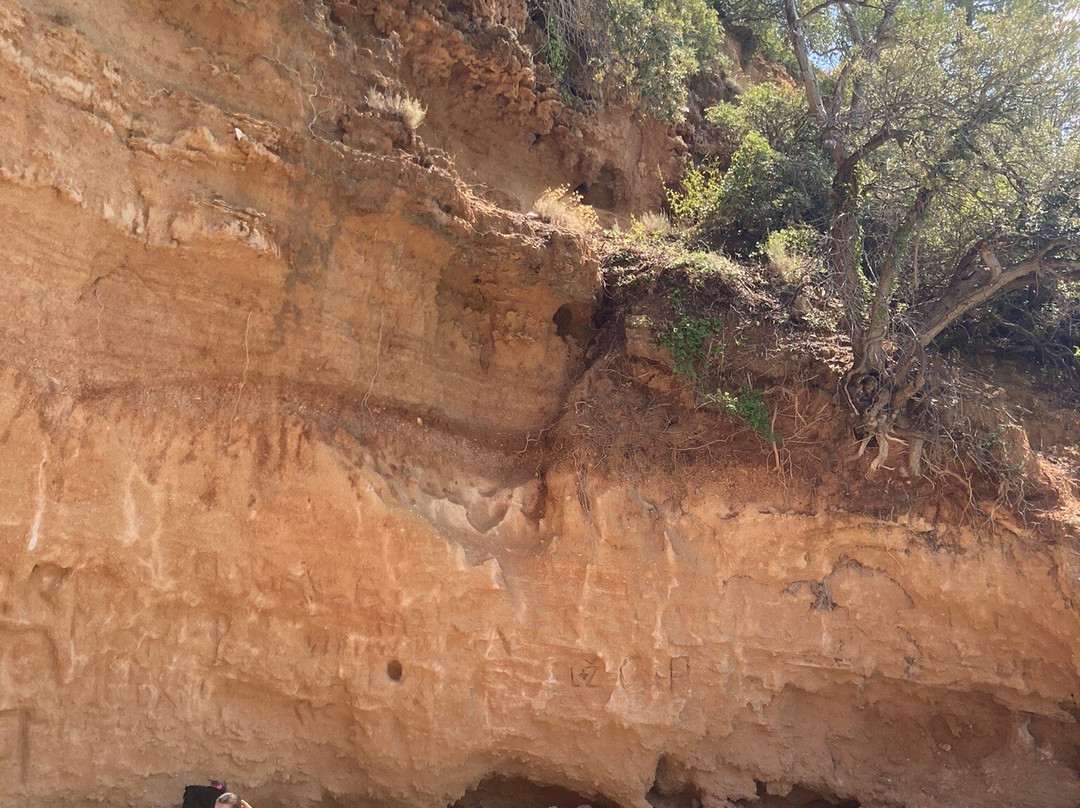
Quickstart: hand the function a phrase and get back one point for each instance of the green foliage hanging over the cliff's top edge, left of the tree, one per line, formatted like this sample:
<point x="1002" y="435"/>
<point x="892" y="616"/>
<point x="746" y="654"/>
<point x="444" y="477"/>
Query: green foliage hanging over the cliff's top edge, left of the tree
<point x="641" y="51"/>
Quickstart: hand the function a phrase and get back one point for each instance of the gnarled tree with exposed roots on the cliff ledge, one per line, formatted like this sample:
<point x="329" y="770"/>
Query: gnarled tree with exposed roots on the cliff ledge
<point x="953" y="133"/>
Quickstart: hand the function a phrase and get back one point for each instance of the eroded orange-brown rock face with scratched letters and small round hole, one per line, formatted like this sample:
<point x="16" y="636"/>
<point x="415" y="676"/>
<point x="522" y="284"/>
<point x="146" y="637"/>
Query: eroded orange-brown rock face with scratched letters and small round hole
<point x="273" y="506"/>
